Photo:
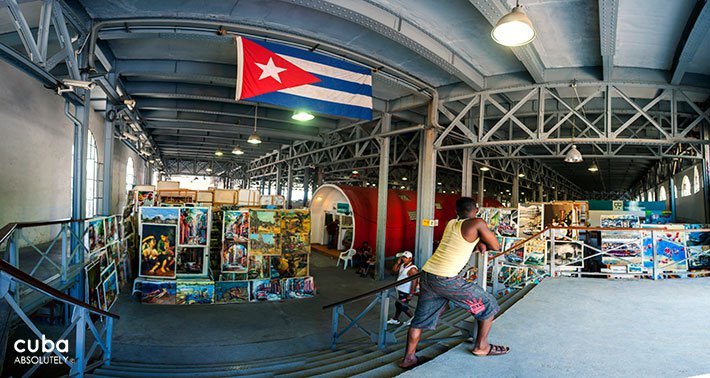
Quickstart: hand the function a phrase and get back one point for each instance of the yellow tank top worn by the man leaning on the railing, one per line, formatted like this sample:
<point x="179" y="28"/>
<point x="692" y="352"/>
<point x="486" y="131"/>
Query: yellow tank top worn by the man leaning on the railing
<point x="453" y="253"/>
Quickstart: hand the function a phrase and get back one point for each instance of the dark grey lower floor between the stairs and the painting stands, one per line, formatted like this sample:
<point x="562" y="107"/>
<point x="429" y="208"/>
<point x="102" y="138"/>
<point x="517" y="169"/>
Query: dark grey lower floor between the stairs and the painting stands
<point x="237" y="332"/>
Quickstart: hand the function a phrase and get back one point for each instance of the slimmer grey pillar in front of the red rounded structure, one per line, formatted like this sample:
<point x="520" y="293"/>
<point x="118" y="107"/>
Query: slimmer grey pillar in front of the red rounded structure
<point x="382" y="188"/>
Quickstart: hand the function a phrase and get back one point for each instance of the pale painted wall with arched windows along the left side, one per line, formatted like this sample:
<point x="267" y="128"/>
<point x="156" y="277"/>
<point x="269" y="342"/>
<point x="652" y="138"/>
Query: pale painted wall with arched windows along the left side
<point x="36" y="153"/>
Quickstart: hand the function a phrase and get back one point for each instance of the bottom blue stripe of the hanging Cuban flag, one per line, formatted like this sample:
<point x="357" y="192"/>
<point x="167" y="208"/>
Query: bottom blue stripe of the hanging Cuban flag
<point x="317" y="106"/>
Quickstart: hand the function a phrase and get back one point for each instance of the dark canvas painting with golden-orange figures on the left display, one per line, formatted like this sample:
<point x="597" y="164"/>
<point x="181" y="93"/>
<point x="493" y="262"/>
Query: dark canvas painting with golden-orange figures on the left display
<point x="157" y="257"/>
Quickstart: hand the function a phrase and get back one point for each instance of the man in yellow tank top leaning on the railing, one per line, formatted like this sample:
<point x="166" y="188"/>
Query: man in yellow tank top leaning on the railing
<point x="441" y="282"/>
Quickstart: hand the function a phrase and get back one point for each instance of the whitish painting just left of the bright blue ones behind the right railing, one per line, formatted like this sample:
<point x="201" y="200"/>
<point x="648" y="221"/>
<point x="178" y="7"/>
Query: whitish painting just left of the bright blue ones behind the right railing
<point x="622" y="248"/>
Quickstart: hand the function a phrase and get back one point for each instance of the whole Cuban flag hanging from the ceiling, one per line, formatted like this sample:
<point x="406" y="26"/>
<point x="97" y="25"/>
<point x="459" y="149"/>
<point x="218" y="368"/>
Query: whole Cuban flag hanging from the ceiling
<point x="299" y="79"/>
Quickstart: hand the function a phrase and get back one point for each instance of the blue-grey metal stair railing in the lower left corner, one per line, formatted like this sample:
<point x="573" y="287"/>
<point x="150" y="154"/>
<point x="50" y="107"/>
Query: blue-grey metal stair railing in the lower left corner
<point x="25" y="293"/>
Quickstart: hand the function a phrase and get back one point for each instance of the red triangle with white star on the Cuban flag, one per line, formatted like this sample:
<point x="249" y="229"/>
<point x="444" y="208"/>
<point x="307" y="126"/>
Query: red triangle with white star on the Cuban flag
<point x="262" y="71"/>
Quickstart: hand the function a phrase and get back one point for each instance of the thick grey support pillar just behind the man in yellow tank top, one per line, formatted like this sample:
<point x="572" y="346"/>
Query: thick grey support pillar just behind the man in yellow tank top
<point x="425" y="193"/>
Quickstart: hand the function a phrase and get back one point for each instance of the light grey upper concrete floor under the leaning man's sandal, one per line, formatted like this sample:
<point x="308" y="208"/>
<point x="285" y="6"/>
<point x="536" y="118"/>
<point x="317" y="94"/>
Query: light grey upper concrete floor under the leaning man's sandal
<point x="594" y="327"/>
